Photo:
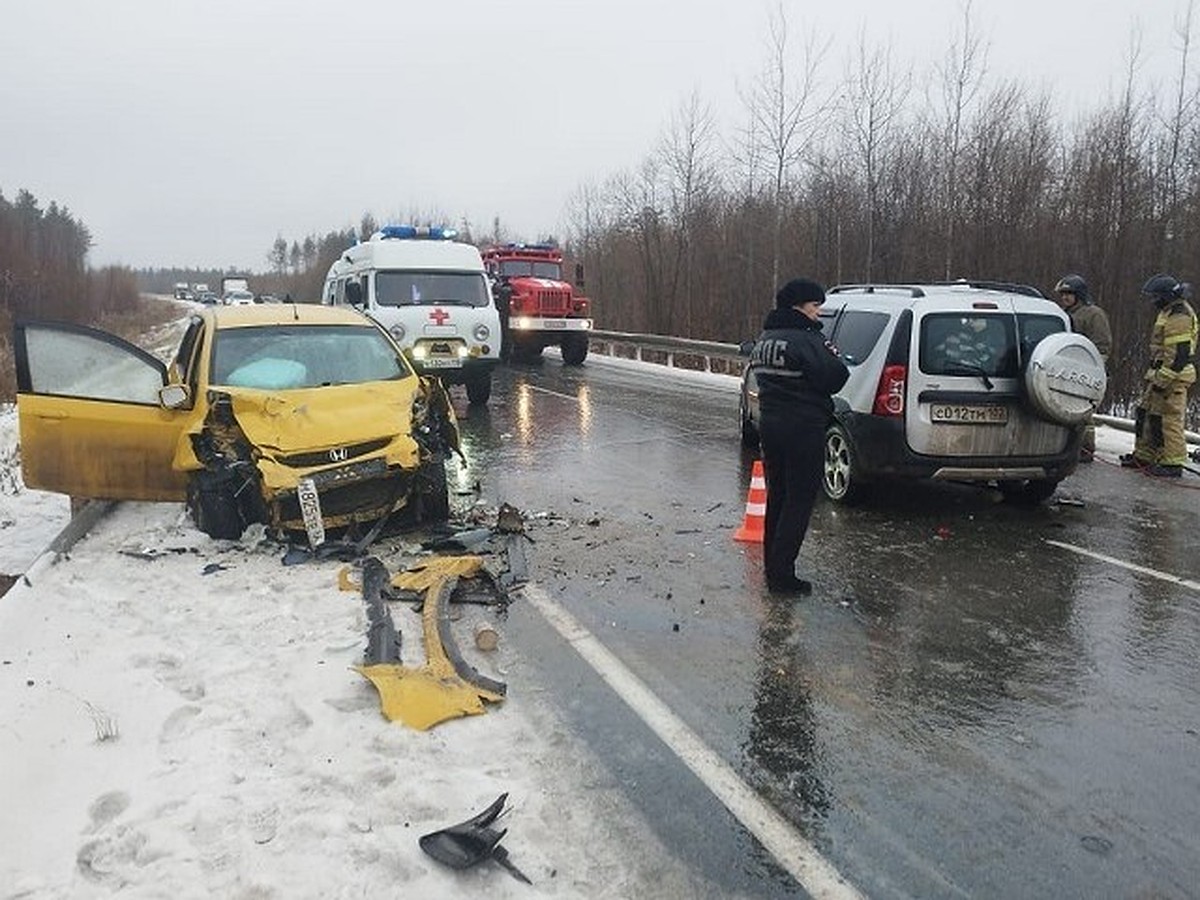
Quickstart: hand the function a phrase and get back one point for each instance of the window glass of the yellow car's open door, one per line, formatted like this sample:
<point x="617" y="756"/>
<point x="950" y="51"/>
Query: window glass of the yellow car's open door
<point x="93" y="367"/>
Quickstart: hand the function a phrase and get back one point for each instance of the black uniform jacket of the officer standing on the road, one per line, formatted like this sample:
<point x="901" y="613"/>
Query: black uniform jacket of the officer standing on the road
<point x="797" y="370"/>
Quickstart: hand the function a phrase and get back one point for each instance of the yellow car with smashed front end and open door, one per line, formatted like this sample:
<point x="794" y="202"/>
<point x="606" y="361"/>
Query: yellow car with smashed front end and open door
<point x="303" y="418"/>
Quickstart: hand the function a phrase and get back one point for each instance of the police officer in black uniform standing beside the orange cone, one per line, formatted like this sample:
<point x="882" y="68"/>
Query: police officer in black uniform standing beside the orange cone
<point x="799" y="373"/>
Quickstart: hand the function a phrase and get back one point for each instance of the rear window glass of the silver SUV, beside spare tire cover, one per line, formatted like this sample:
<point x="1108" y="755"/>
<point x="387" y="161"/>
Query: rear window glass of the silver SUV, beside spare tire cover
<point x="973" y="344"/>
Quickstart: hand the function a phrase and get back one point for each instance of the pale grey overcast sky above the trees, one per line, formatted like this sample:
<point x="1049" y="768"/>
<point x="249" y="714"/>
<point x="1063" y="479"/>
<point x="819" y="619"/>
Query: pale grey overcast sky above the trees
<point x="194" y="133"/>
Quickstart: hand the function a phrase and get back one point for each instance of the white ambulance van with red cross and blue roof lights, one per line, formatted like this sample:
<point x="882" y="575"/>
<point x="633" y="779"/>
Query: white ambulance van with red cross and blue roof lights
<point x="431" y="292"/>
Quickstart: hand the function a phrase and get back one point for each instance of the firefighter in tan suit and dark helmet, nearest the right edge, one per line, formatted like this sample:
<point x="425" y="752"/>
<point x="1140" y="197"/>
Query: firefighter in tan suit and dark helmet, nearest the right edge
<point x="1160" y="448"/>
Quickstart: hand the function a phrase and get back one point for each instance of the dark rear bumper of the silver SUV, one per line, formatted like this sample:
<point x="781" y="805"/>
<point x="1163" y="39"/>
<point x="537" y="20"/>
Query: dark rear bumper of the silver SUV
<point x="881" y="452"/>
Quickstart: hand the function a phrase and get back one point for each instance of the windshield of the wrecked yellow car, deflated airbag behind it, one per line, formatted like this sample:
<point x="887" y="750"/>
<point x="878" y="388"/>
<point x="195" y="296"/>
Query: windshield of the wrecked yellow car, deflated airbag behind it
<point x="290" y="357"/>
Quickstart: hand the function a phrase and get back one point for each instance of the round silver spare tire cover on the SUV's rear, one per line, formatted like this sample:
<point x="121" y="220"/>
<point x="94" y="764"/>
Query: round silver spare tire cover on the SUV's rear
<point x="1065" y="379"/>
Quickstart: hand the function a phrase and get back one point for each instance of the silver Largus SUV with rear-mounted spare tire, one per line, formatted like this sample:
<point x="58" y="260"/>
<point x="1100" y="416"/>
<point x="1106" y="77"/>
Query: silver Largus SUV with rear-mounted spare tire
<point x="977" y="382"/>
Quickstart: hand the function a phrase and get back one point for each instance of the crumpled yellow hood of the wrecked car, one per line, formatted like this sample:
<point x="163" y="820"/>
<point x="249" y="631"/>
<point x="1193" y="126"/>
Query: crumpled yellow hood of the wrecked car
<point x="287" y="422"/>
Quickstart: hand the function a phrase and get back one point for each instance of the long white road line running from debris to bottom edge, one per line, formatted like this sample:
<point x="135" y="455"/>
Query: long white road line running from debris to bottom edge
<point x="776" y="833"/>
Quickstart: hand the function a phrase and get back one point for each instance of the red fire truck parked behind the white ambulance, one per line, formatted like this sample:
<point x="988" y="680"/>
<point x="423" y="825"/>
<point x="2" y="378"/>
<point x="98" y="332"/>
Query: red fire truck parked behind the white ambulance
<point x="538" y="308"/>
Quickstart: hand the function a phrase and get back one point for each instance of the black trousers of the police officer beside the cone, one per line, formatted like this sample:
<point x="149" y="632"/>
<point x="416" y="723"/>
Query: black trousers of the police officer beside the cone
<point x="793" y="460"/>
